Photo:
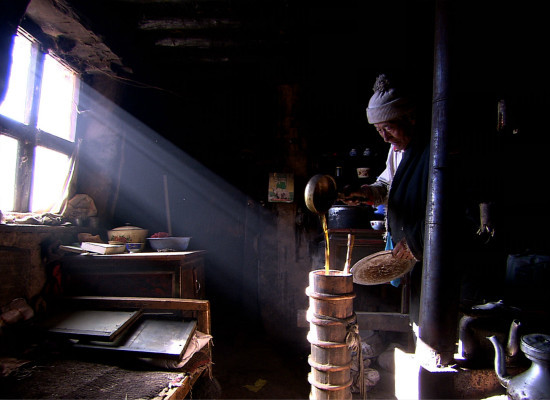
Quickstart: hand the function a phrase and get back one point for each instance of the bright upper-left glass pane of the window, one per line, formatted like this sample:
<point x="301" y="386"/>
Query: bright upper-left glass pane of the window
<point x="13" y="105"/>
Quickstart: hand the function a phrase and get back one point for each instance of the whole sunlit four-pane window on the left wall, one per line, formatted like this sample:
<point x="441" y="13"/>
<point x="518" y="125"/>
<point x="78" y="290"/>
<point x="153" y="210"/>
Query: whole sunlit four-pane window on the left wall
<point x="37" y="129"/>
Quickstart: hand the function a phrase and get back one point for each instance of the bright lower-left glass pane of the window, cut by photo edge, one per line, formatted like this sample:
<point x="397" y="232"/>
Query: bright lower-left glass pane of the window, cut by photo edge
<point x="8" y="165"/>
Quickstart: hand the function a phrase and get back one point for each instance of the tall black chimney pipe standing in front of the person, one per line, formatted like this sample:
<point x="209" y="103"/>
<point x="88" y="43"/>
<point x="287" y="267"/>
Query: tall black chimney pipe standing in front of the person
<point x="439" y="300"/>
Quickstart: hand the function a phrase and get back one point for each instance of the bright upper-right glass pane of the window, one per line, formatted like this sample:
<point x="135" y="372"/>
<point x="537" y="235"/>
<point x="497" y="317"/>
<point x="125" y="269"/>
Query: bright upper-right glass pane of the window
<point x="55" y="113"/>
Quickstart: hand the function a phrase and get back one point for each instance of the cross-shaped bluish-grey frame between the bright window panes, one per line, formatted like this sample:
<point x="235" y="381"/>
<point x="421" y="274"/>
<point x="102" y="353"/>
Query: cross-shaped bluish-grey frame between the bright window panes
<point x="27" y="134"/>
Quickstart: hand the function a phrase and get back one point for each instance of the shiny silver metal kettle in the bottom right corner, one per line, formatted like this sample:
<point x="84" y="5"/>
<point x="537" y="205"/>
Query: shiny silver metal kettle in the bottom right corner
<point x="534" y="383"/>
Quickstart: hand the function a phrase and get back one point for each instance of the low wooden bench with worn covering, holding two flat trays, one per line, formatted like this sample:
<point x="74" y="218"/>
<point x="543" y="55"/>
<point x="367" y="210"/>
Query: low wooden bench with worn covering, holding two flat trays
<point x="61" y="372"/>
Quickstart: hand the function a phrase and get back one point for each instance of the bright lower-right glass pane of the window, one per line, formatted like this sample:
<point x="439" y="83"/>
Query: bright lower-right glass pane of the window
<point x="50" y="172"/>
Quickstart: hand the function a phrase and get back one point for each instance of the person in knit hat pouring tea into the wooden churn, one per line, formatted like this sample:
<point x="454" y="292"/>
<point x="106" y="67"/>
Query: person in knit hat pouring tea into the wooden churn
<point x="403" y="185"/>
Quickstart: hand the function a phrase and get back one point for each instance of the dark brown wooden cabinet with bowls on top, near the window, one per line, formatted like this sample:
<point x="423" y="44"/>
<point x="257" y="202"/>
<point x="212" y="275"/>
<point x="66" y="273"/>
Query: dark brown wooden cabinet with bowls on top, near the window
<point x="158" y="274"/>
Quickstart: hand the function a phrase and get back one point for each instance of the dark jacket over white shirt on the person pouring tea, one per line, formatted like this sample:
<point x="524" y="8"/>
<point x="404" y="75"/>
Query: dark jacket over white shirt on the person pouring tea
<point x="408" y="196"/>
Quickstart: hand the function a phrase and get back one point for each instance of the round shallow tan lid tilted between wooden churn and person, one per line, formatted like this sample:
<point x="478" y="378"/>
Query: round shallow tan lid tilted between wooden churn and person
<point x="379" y="268"/>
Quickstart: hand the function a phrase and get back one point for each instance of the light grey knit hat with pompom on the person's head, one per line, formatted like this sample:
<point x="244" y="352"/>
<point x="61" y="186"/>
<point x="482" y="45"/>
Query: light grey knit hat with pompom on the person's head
<point x="387" y="103"/>
